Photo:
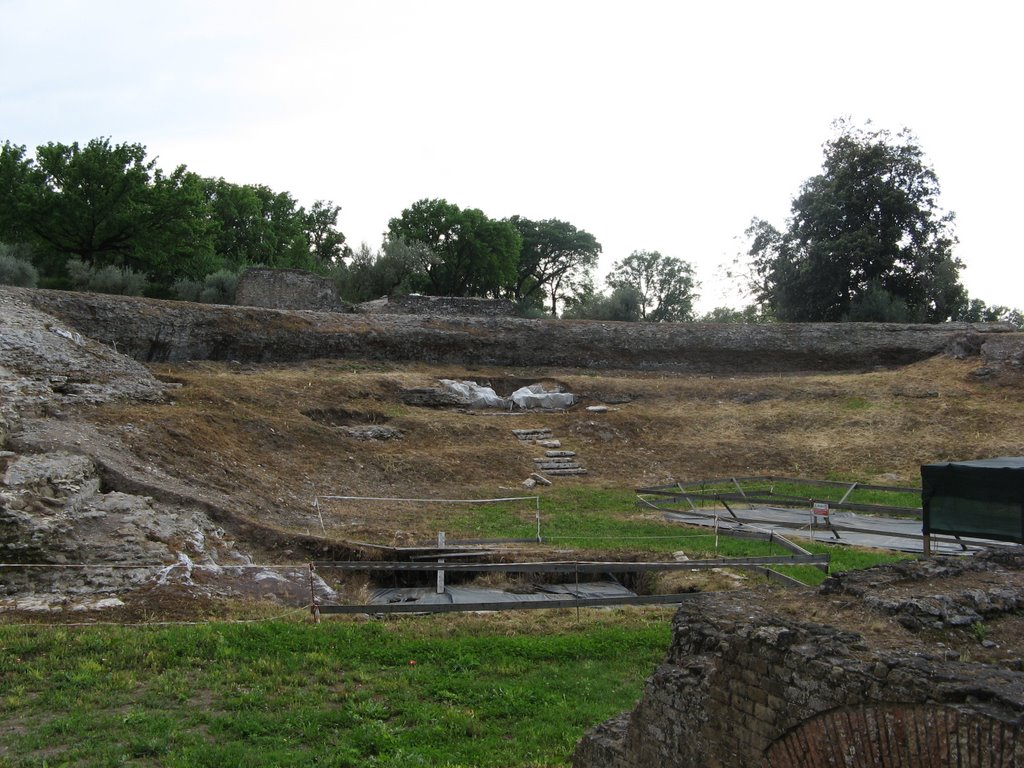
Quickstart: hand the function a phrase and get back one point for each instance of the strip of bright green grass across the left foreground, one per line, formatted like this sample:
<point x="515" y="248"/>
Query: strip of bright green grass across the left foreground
<point x="337" y="695"/>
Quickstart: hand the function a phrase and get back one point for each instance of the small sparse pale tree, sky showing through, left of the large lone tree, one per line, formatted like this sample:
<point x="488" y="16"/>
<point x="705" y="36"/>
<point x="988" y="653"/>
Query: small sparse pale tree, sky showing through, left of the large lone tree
<point x="665" y="284"/>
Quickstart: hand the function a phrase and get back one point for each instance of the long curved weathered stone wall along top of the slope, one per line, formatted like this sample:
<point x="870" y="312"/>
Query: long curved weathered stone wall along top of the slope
<point x="150" y="330"/>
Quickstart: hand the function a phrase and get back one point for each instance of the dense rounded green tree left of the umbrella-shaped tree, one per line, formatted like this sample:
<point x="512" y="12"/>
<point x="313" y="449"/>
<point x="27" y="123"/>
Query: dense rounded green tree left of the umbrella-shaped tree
<point x="466" y="254"/>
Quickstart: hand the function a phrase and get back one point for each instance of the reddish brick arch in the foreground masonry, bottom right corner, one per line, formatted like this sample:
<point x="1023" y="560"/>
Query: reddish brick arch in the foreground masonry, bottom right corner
<point x="905" y="736"/>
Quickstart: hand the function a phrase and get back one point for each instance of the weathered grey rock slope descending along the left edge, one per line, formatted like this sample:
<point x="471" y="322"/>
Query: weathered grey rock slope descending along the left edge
<point x="80" y="527"/>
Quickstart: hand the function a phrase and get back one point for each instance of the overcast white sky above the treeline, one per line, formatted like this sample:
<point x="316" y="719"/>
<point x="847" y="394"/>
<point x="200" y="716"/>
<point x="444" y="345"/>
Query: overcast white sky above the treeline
<point x="653" y="125"/>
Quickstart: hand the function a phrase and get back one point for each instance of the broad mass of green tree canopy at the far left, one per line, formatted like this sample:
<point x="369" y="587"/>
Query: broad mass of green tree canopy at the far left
<point x="109" y="205"/>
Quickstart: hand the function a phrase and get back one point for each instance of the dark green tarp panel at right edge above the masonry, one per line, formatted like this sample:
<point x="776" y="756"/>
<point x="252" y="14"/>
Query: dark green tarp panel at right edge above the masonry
<point x="984" y="499"/>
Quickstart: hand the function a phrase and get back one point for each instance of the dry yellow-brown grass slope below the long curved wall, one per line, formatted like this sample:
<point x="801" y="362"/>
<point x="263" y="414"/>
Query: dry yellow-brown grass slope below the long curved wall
<point x="252" y="433"/>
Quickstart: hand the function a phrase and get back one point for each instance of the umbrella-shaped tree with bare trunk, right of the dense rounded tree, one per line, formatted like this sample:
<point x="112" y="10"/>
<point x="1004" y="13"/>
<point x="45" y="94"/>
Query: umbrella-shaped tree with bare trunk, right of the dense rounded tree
<point x="554" y="261"/>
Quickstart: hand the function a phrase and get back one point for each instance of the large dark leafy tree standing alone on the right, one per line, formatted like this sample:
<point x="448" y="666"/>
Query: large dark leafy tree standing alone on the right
<point x="867" y="239"/>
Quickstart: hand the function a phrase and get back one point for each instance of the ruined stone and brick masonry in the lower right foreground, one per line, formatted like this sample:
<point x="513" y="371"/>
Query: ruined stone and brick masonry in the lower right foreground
<point x="745" y="685"/>
